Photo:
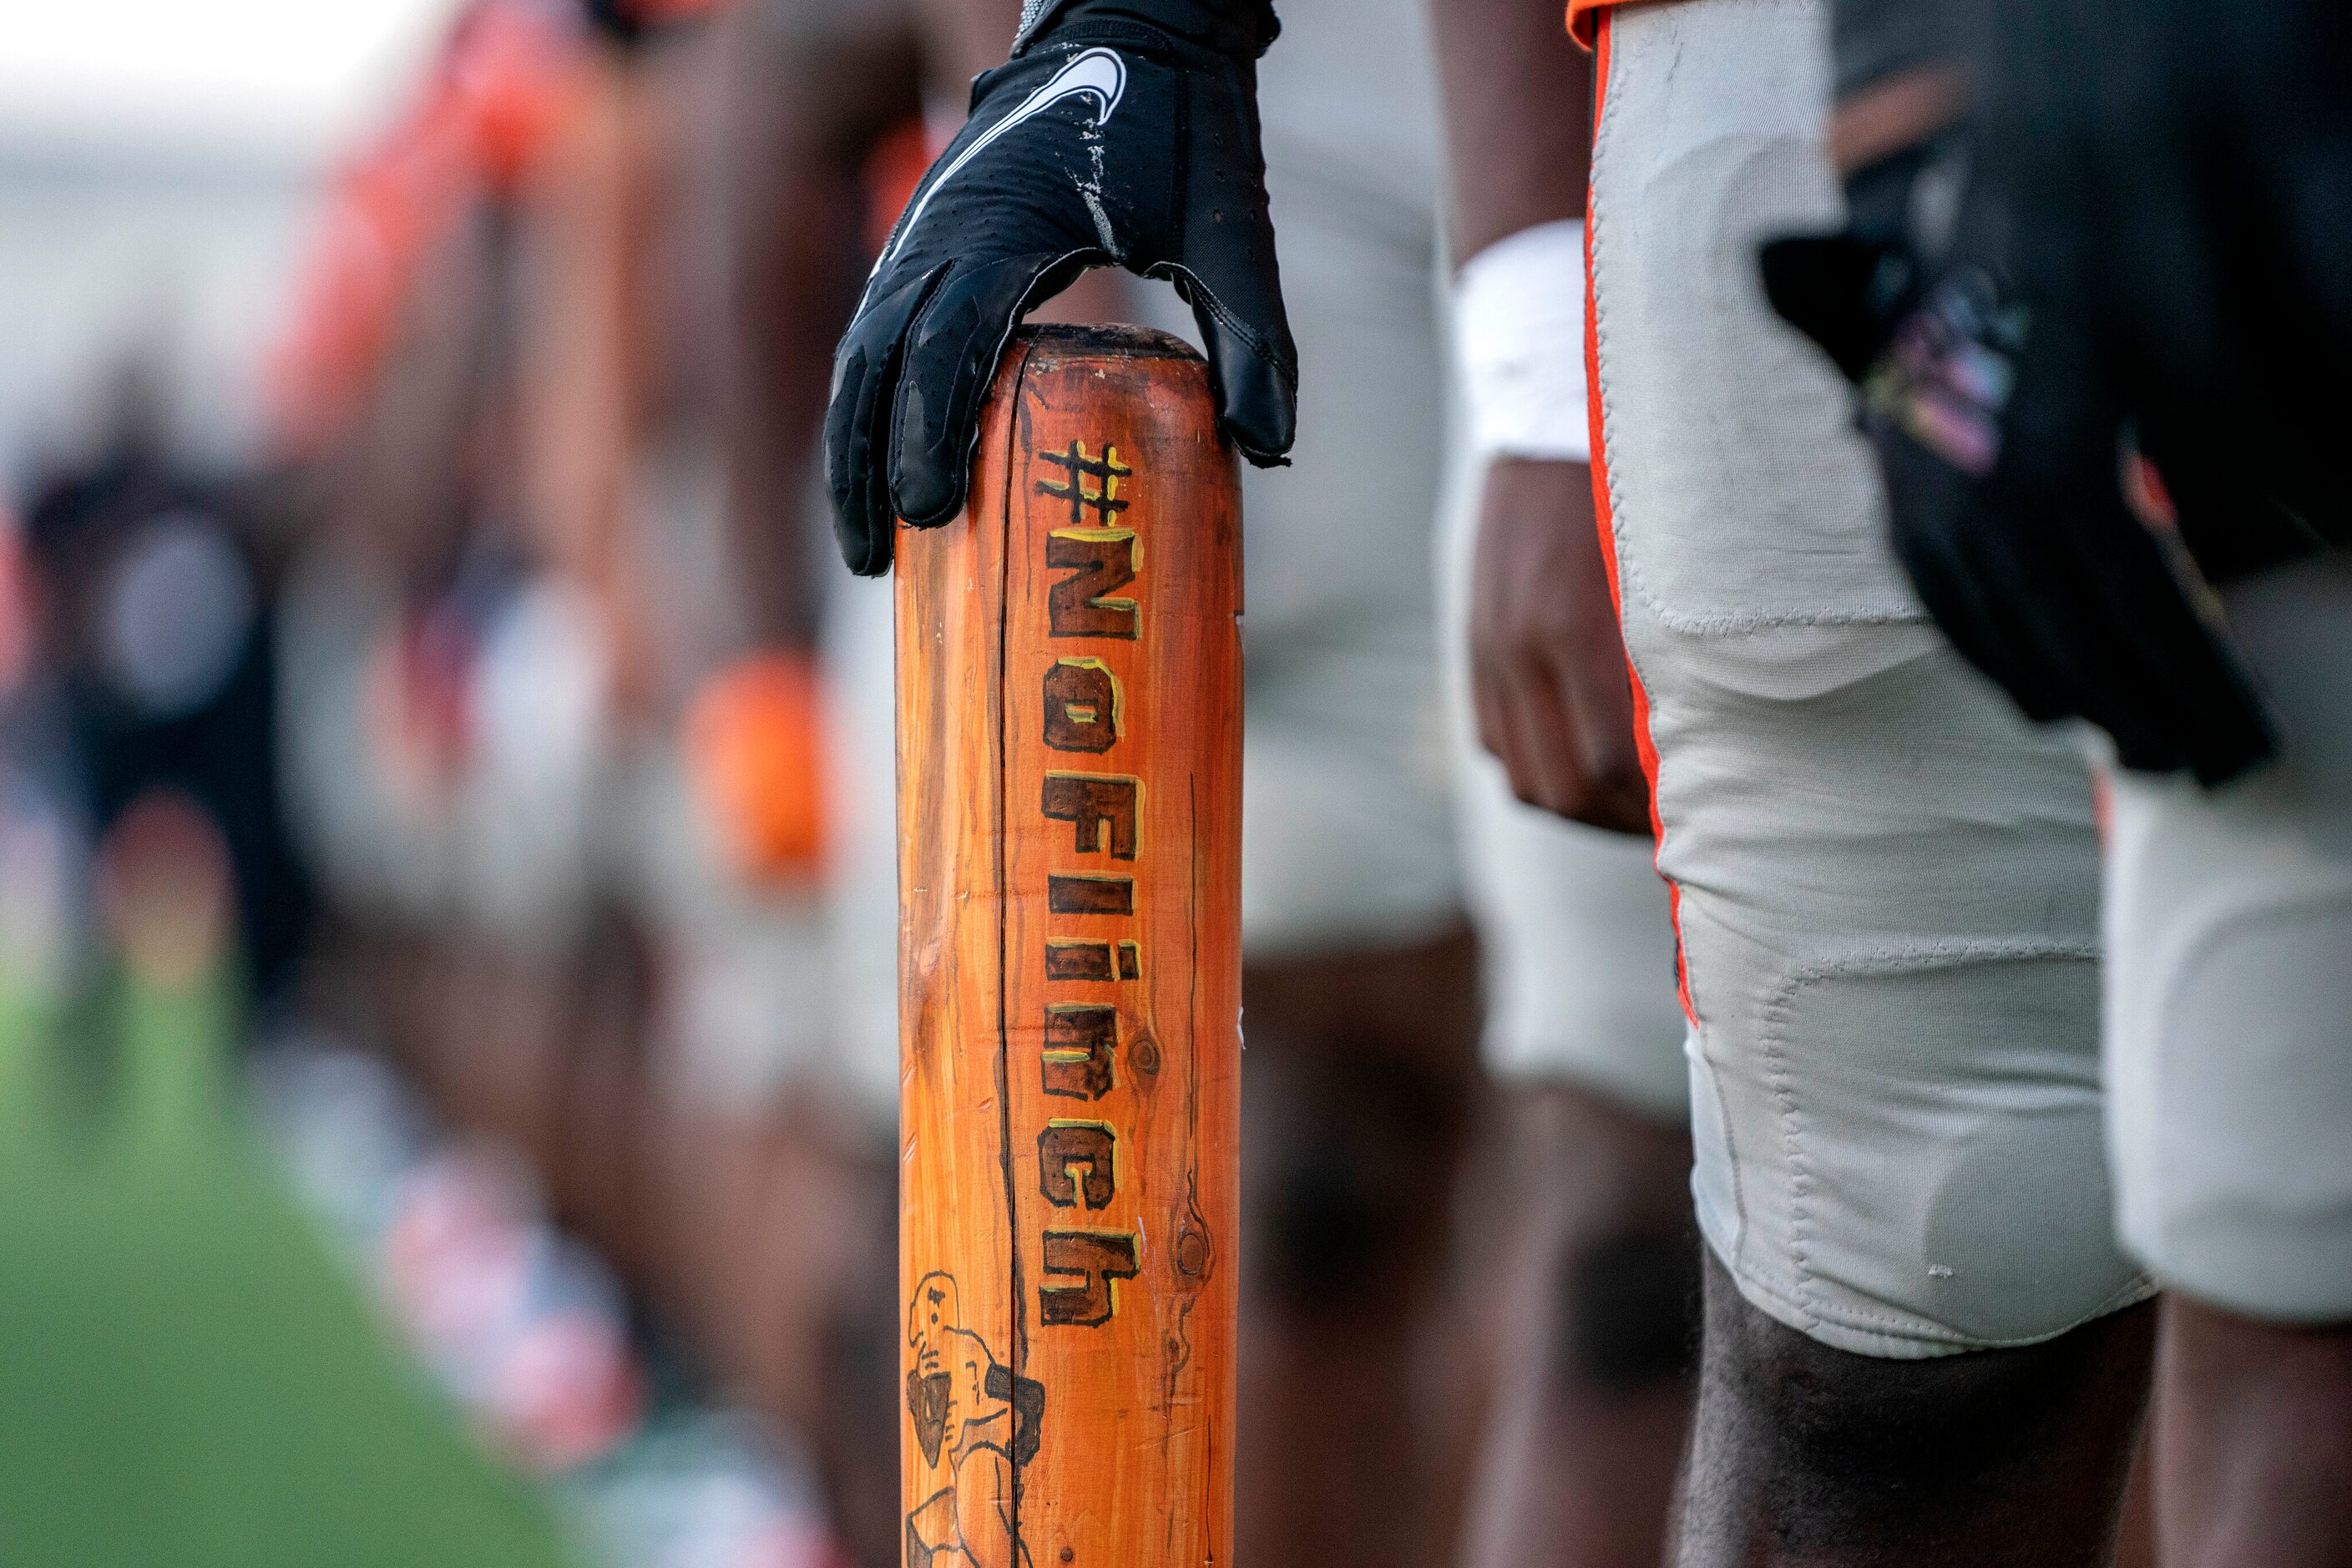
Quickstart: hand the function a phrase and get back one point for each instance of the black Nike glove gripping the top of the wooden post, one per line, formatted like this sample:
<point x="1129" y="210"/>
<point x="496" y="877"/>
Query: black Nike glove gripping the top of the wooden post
<point x="1121" y="133"/>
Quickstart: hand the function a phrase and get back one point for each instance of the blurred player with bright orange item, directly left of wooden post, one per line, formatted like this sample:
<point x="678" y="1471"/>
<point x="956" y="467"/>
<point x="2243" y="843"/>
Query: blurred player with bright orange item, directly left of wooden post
<point x="770" y="1158"/>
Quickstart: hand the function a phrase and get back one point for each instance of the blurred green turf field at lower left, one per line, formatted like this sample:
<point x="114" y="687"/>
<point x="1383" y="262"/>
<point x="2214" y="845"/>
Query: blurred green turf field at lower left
<point x="187" y="1376"/>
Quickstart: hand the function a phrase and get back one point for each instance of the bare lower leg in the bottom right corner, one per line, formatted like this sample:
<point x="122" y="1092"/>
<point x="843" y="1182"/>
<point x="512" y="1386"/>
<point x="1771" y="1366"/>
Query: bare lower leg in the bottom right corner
<point x="2254" y="1442"/>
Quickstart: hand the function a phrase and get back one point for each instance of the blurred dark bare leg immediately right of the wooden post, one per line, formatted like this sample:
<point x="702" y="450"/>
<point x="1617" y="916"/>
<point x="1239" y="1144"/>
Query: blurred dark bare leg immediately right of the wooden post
<point x="1356" y="1097"/>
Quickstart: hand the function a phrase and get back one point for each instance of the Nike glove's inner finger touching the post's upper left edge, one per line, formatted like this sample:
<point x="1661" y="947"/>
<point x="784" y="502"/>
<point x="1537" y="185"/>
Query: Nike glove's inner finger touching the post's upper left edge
<point x="951" y="361"/>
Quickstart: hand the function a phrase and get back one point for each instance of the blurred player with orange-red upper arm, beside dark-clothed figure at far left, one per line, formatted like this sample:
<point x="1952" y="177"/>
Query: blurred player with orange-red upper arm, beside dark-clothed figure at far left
<point x="396" y="391"/>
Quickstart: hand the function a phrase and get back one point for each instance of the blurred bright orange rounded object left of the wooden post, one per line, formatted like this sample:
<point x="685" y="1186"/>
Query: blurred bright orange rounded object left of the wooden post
<point x="759" y="763"/>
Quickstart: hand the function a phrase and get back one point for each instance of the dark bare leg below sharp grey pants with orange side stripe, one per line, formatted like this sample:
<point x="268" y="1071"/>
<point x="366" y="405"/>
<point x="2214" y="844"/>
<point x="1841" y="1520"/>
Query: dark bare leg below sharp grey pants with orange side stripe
<point x="1996" y="1459"/>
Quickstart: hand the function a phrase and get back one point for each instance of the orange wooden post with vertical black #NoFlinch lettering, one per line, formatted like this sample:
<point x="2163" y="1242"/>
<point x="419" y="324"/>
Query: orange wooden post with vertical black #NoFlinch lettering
<point x="1071" y="977"/>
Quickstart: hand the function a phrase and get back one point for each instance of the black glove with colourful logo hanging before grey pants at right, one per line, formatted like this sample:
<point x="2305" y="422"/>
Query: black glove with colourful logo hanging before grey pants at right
<point x="2005" y="469"/>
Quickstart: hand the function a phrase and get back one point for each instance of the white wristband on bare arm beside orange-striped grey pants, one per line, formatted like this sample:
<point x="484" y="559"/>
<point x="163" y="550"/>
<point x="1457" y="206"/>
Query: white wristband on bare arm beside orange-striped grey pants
<point x="1521" y="340"/>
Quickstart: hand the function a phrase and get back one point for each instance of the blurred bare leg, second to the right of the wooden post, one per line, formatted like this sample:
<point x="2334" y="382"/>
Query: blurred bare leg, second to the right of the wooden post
<point x="1593" y="1339"/>
